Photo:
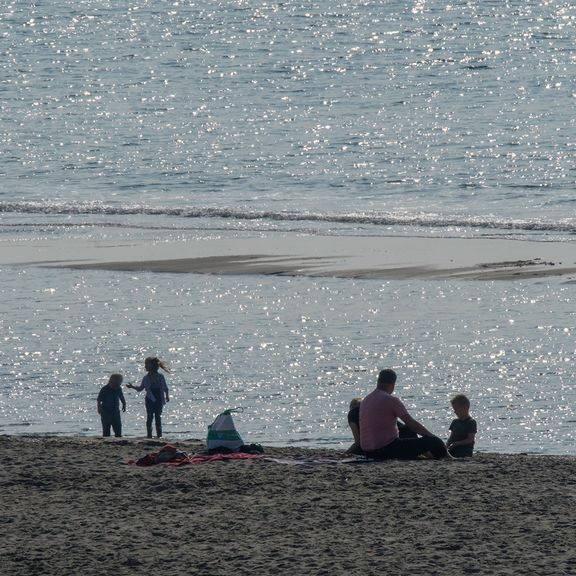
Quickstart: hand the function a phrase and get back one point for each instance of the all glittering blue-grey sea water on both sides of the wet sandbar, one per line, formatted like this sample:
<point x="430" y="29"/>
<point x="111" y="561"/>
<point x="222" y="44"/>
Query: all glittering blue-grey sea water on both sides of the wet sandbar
<point x="153" y="121"/>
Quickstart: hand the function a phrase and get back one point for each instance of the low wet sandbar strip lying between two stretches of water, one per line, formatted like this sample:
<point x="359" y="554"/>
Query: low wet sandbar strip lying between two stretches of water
<point x="302" y="255"/>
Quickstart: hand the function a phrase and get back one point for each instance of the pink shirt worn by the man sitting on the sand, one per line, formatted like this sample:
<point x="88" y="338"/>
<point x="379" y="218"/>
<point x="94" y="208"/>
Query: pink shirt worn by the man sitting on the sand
<point x="378" y="419"/>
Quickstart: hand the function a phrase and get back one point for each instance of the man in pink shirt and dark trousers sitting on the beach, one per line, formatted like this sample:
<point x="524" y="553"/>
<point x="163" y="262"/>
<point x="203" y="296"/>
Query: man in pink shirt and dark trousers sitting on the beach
<point x="379" y="437"/>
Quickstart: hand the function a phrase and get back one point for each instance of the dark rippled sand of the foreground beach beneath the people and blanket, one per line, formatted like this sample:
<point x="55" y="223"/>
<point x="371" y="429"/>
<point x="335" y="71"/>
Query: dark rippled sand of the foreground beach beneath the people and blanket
<point x="74" y="506"/>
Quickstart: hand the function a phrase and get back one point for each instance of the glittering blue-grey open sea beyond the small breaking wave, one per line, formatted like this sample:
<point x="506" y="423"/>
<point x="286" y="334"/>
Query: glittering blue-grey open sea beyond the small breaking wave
<point x="398" y="106"/>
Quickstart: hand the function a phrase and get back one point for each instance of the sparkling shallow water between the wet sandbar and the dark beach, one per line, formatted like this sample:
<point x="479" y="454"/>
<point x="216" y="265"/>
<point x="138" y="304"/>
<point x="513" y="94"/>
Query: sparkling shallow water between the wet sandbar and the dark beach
<point x="291" y="351"/>
